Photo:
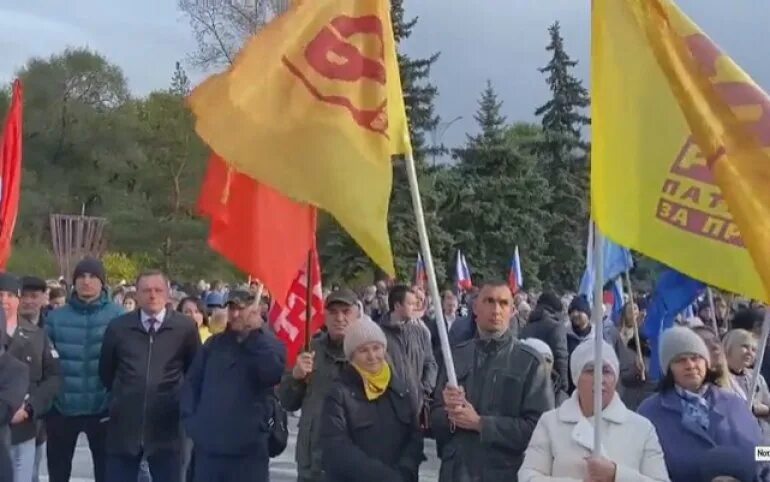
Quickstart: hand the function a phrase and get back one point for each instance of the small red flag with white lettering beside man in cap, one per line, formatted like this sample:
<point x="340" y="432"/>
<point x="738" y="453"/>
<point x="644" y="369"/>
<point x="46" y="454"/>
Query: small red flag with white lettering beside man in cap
<point x="287" y="319"/>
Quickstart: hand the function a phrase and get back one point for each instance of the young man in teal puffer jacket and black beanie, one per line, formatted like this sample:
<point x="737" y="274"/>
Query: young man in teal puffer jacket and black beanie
<point x="76" y="331"/>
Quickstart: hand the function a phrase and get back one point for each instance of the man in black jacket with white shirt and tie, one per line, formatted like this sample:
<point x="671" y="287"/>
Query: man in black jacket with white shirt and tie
<point x="145" y="355"/>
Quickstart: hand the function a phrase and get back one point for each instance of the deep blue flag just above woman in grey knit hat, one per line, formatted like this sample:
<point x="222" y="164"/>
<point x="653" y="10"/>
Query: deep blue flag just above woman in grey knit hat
<point x="674" y="292"/>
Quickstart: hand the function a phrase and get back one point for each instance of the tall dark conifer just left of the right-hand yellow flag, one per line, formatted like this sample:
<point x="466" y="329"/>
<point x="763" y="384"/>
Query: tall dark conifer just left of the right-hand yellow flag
<point x="564" y="160"/>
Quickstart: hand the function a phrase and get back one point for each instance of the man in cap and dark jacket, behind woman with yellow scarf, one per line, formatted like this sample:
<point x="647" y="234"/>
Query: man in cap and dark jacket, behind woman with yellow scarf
<point x="324" y="361"/>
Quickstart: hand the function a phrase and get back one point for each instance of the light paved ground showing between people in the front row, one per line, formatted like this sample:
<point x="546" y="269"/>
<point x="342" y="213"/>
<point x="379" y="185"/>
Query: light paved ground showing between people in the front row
<point x="282" y="469"/>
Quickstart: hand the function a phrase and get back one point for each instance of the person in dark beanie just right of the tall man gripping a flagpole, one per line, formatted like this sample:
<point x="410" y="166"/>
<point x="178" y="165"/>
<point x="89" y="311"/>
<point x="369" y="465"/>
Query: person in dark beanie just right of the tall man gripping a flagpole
<point x="545" y="324"/>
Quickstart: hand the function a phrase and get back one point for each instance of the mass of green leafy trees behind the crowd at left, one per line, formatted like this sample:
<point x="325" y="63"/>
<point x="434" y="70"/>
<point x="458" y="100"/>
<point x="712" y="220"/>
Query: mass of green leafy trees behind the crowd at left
<point x="90" y="147"/>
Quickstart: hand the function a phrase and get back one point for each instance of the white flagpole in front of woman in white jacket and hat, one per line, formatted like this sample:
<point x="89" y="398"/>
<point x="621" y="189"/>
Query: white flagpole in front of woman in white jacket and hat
<point x="598" y="317"/>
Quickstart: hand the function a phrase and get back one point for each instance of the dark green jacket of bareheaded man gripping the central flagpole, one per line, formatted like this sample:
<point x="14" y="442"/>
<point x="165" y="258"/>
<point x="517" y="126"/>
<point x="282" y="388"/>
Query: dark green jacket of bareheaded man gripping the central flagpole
<point x="507" y="383"/>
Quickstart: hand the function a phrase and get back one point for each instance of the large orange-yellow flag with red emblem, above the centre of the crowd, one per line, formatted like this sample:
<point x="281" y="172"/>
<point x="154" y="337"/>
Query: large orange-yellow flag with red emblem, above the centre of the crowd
<point x="313" y="107"/>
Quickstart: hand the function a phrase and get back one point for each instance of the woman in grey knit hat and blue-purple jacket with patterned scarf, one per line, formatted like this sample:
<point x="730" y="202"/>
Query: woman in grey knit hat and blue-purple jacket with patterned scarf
<point x="691" y="414"/>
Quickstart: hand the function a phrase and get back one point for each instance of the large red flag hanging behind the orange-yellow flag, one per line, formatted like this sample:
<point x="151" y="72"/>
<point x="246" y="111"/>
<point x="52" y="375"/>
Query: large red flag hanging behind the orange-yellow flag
<point x="258" y="229"/>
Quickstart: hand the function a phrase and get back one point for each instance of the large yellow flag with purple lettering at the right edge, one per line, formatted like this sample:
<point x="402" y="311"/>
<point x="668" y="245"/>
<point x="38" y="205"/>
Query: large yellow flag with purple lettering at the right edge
<point x="680" y="166"/>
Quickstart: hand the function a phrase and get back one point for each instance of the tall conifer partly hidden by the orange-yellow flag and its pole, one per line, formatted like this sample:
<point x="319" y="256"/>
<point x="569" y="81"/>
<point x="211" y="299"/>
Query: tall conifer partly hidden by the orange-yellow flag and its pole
<point x="419" y="95"/>
